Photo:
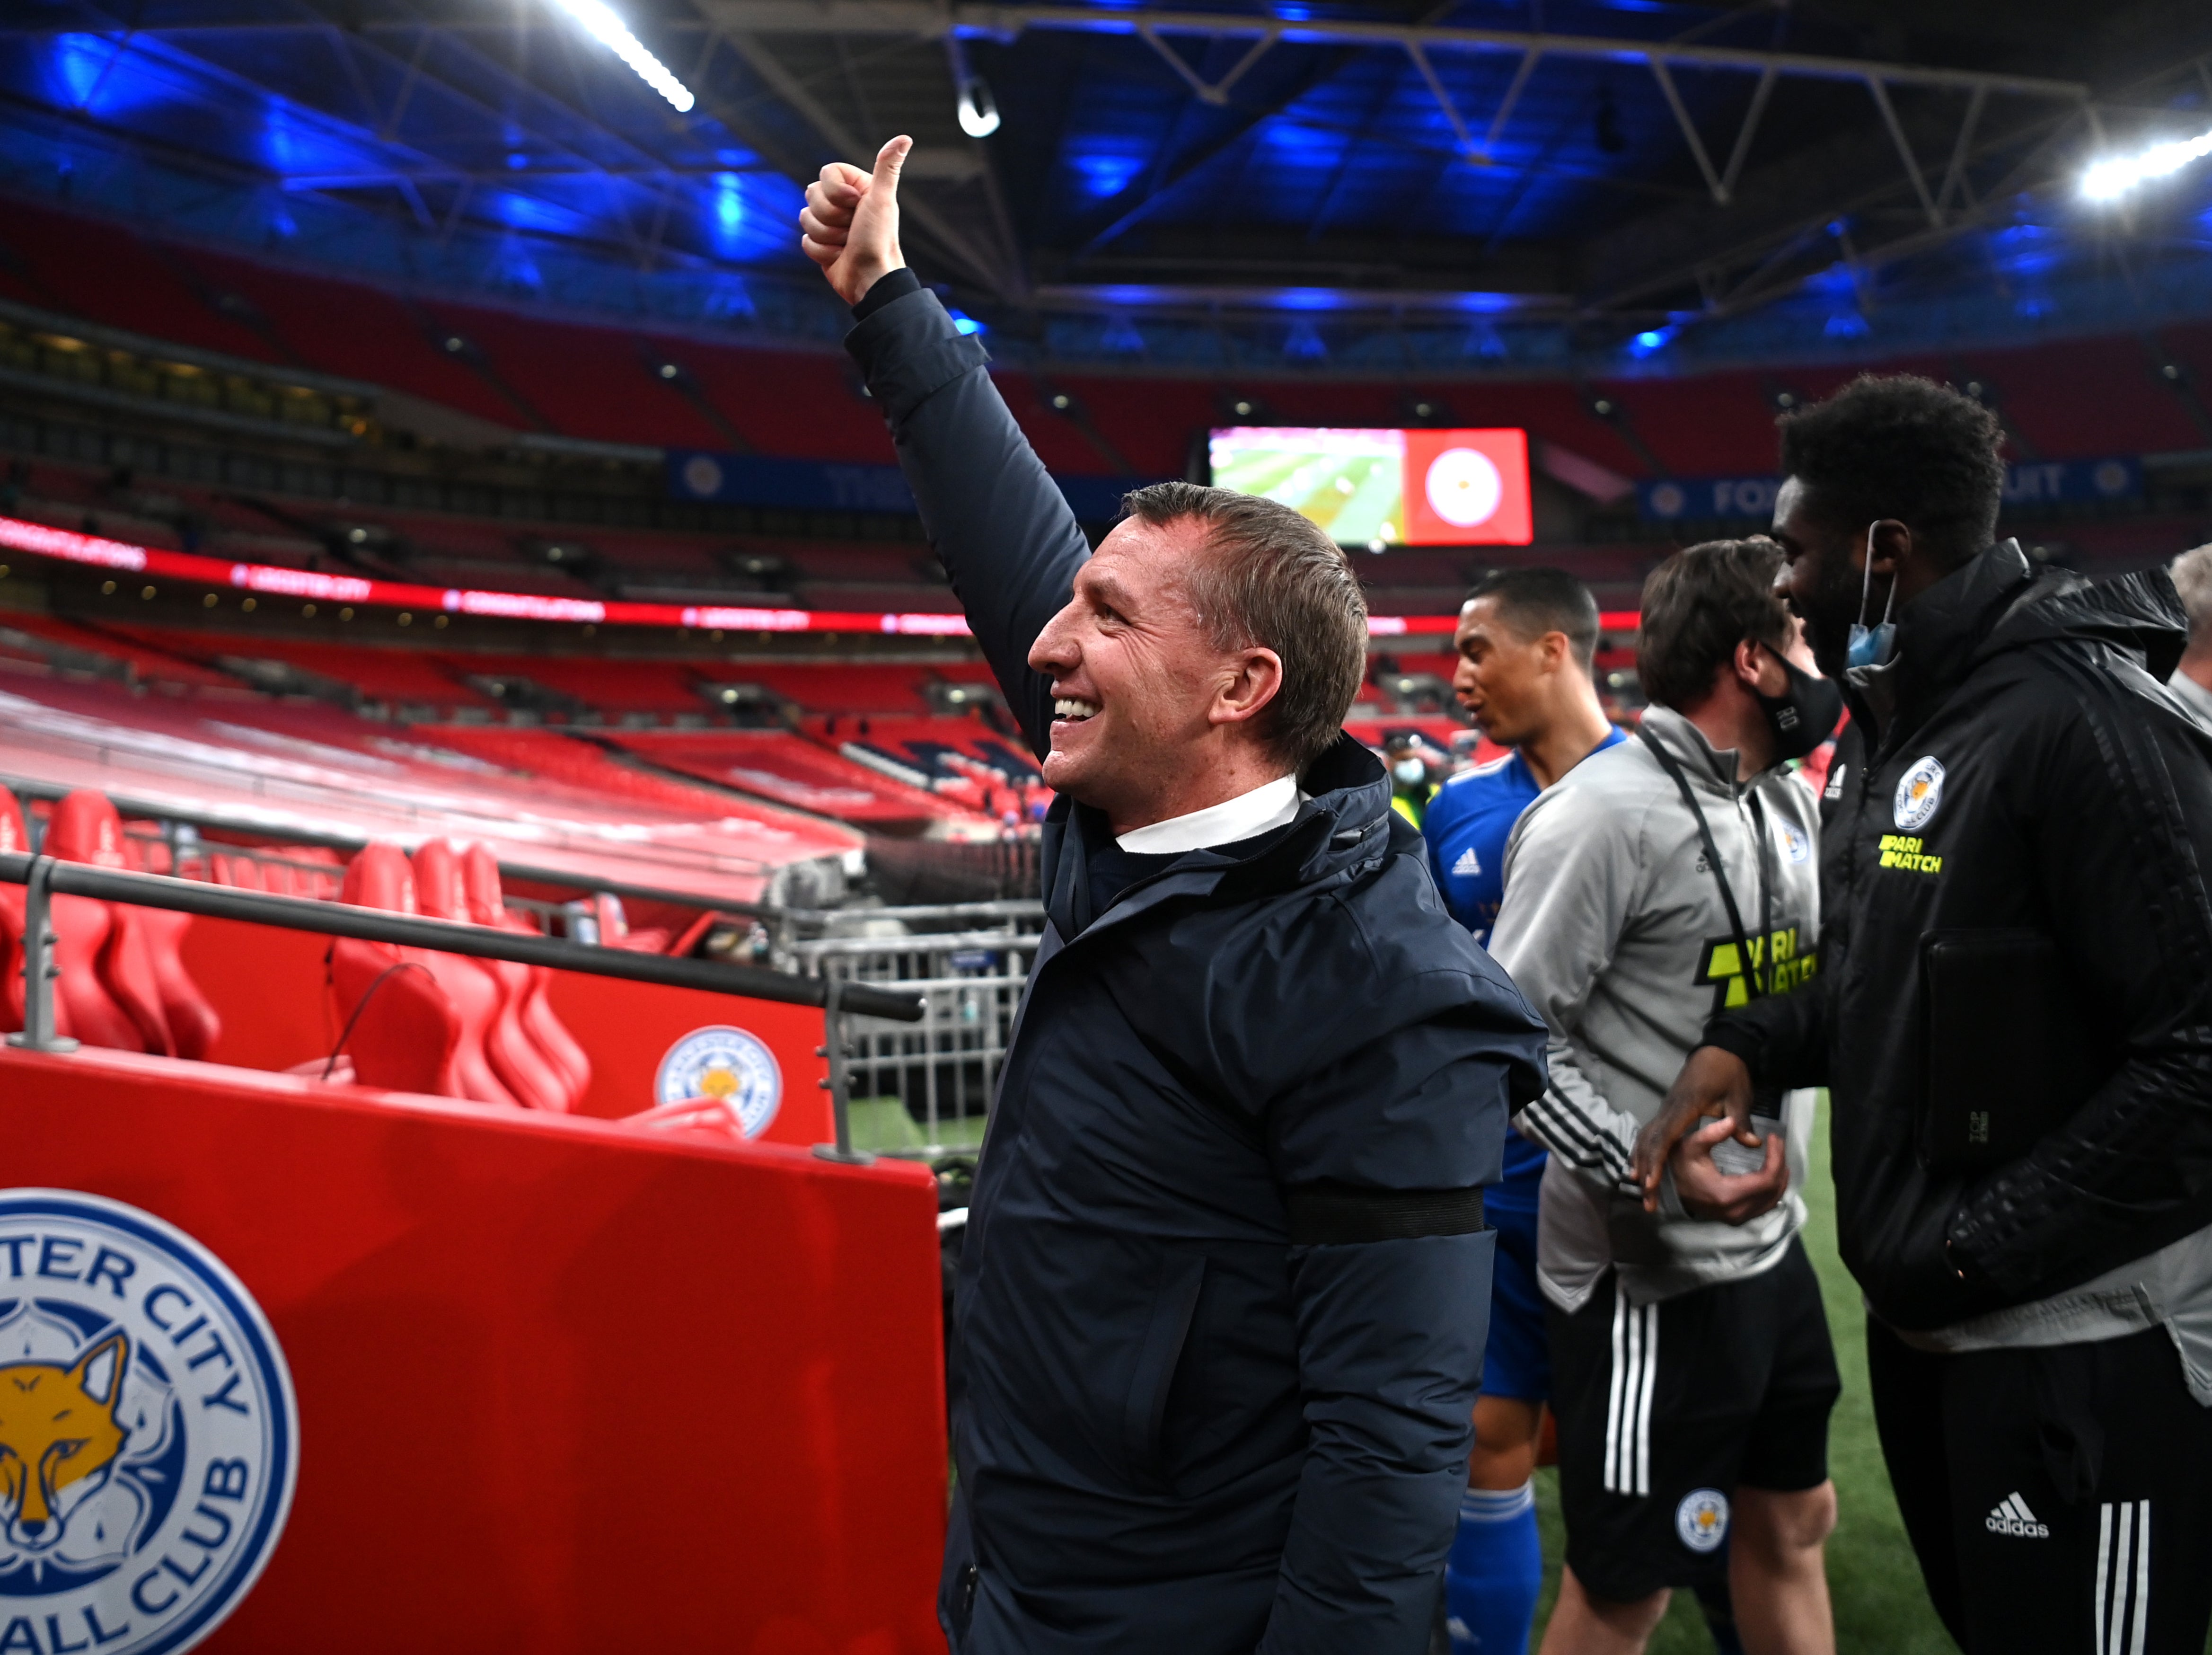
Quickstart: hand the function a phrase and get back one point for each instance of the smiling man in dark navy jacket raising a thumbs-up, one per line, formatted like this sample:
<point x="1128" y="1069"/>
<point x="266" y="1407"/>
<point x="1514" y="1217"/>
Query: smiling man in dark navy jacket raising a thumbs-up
<point x="1227" y="1280"/>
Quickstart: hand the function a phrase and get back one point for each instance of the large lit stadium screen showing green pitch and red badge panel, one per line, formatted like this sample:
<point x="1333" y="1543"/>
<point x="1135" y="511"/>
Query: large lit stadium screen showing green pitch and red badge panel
<point x="1375" y="488"/>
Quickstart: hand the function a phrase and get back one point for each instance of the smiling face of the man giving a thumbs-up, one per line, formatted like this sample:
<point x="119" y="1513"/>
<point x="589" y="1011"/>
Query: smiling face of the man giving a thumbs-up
<point x="1134" y="672"/>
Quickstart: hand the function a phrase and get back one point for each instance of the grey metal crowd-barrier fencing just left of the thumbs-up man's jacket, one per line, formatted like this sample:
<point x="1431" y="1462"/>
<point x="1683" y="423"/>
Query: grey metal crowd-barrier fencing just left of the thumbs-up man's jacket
<point x="946" y="1065"/>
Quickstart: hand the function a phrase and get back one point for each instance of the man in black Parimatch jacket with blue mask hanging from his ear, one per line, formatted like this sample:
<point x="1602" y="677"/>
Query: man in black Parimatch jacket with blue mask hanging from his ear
<point x="2016" y="1028"/>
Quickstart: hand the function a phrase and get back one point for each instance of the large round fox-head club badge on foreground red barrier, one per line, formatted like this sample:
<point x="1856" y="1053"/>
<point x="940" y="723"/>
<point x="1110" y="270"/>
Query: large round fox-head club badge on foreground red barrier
<point x="149" y="1437"/>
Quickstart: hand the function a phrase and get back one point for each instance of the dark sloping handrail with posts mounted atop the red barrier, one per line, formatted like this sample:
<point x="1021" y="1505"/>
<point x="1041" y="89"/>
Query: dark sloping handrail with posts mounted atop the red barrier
<point x="844" y="1001"/>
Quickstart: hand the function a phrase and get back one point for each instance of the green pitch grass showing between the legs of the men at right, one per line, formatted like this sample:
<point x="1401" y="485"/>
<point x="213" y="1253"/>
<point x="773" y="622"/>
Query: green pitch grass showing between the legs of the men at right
<point x="1872" y="1576"/>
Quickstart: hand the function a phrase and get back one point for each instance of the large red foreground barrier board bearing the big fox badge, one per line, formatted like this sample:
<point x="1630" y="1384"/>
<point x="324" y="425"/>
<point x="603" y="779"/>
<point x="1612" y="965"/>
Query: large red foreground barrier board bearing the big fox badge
<point x="559" y="1386"/>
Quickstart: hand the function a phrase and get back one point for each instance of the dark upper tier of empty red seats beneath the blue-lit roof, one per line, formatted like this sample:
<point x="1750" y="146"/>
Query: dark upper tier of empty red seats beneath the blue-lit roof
<point x="536" y="373"/>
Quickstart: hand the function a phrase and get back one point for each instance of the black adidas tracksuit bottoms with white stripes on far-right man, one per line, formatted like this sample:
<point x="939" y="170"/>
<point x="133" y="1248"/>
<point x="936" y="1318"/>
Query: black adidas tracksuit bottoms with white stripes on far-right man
<point x="2058" y="1497"/>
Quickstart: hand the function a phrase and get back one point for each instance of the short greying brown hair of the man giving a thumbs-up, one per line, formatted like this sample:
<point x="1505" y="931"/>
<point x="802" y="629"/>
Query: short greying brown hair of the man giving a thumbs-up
<point x="1275" y="581"/>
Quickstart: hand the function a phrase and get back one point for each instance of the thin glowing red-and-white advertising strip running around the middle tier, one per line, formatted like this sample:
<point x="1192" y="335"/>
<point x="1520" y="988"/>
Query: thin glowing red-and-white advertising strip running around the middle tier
<point x="315" y="585"/>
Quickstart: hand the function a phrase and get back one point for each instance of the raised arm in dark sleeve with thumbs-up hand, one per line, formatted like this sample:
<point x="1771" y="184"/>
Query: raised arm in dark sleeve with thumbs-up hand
<point x="994" y="517"/>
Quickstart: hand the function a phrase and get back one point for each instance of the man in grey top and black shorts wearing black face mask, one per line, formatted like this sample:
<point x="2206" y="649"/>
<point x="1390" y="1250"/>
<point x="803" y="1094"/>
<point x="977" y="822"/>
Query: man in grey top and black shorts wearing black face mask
<point x="1691" y="1357"/>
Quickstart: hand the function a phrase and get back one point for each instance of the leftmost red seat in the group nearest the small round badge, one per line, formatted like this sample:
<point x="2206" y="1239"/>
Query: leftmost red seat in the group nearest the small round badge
<point x="401" y="1023"/>
